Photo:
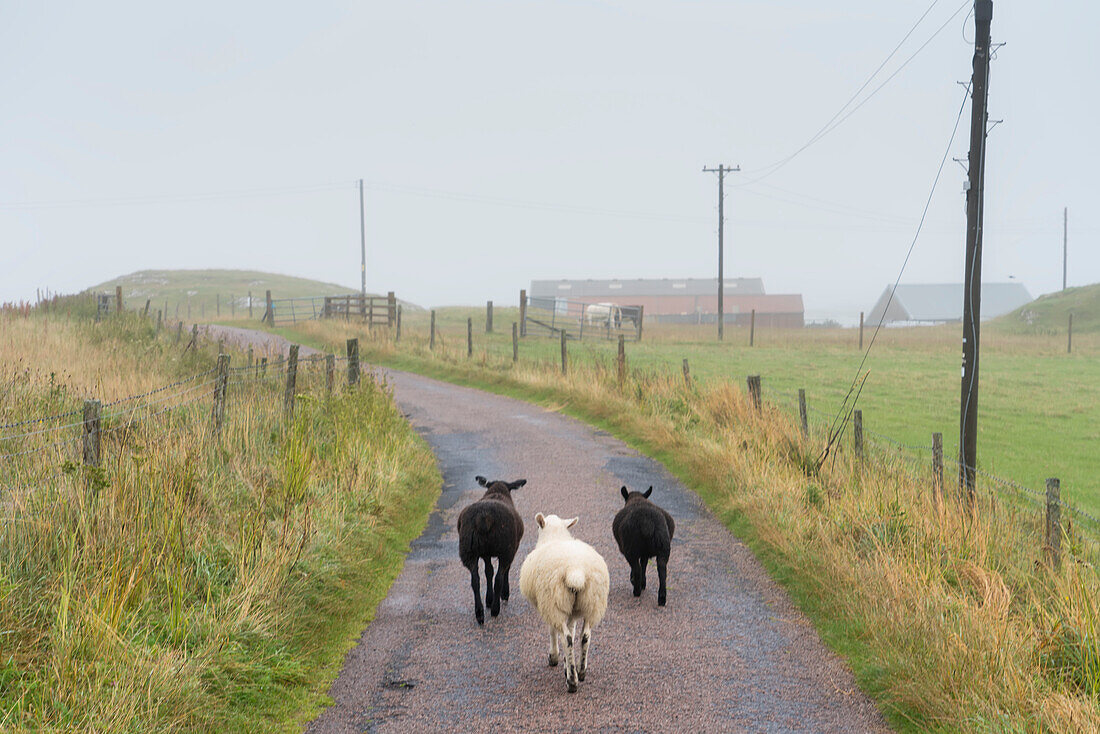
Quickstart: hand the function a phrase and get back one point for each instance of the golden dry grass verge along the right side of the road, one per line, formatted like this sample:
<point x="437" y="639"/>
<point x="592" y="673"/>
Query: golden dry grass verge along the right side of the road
<point x="953" y="625"/>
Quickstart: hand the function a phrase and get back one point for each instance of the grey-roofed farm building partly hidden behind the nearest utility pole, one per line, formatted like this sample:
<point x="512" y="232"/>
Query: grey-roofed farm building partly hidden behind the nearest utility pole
<point x="943" y="302"/>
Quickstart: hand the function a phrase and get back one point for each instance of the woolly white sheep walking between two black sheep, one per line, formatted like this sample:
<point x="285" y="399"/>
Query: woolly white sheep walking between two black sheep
<point x="567" y="582"/>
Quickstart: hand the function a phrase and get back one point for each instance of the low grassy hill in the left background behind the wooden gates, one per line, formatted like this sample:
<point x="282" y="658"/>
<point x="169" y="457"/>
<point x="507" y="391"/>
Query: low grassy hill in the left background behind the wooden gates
<point x="213" y="292"/>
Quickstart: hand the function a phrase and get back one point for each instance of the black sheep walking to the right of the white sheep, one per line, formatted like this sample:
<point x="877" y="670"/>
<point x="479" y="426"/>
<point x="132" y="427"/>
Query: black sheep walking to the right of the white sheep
<point x="644" y="531"/>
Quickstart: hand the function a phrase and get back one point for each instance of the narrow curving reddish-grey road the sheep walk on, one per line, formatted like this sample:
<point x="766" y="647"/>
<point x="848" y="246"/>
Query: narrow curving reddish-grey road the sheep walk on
<point x="730" y="653"/>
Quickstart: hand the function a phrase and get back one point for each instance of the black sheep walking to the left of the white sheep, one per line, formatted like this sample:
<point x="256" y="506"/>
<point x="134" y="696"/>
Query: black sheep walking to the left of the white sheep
<point x="491" y="529"/>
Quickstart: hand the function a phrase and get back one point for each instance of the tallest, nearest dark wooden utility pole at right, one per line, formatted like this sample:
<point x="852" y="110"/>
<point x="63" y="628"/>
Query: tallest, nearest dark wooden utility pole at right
<point x="972" y="295"/>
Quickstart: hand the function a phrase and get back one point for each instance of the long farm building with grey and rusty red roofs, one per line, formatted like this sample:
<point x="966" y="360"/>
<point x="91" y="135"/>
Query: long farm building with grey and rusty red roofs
<point x="679" y="301"/>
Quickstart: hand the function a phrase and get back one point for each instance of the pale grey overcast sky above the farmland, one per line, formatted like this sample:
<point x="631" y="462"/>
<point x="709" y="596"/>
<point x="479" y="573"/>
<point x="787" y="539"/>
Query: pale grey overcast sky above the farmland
<point x="516" y="140"/>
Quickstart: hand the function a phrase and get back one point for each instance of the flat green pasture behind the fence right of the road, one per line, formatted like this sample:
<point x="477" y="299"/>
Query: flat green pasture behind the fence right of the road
<point x="1039" y="407"/>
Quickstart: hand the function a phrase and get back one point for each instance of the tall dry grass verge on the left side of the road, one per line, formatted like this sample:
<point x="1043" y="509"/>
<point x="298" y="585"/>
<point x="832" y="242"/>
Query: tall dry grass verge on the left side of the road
<point x="193" y="583"/>
